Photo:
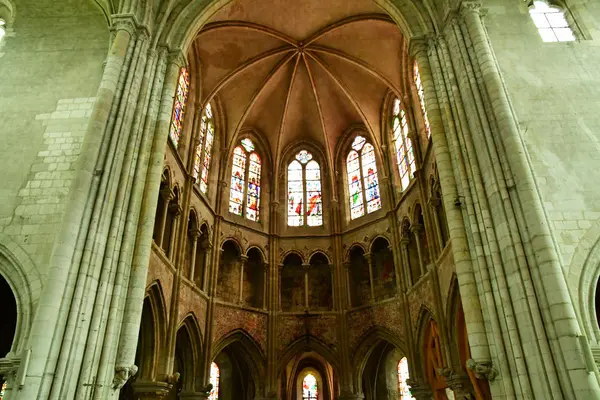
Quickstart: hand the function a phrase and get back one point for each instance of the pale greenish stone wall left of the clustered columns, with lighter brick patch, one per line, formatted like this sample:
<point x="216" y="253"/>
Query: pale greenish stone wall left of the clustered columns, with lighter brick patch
<point x="50" y="68"/>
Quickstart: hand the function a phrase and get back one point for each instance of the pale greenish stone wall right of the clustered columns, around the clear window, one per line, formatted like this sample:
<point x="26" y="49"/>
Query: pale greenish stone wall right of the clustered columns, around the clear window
<point x="554" y="90"/>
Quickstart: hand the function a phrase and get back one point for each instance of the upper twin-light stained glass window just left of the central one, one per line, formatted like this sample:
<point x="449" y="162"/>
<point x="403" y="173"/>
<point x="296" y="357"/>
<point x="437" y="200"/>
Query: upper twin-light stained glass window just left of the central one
<point x="244" y="194"/>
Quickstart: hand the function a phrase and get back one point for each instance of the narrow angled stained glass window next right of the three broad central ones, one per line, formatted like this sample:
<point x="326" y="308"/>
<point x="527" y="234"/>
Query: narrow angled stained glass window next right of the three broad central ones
<point x="403" y="145"/>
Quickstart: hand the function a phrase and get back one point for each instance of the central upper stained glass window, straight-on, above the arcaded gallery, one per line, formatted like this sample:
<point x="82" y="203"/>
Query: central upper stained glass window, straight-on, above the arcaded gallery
<point x="305" y="203"/>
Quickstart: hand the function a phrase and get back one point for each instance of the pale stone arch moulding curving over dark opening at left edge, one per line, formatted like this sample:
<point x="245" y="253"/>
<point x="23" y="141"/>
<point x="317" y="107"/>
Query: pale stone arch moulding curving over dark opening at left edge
<point x="25" y="281"/>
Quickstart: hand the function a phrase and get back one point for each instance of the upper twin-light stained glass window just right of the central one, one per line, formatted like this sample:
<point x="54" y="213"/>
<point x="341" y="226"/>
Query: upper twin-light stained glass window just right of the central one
<point x="363" y="183"/>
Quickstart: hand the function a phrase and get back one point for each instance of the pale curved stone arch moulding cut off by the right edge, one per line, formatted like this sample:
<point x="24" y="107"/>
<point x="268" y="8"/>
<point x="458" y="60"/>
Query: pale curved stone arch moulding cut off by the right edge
<point x="582" y="278"/>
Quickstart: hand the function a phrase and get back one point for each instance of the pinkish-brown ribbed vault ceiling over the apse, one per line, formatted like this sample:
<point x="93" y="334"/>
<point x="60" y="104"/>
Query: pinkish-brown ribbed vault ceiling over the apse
<point x="300" y="70"/>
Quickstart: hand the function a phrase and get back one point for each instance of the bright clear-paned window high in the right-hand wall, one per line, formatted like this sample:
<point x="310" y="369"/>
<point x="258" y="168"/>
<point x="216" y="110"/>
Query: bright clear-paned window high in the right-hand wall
<point x="551" y="23"/>
